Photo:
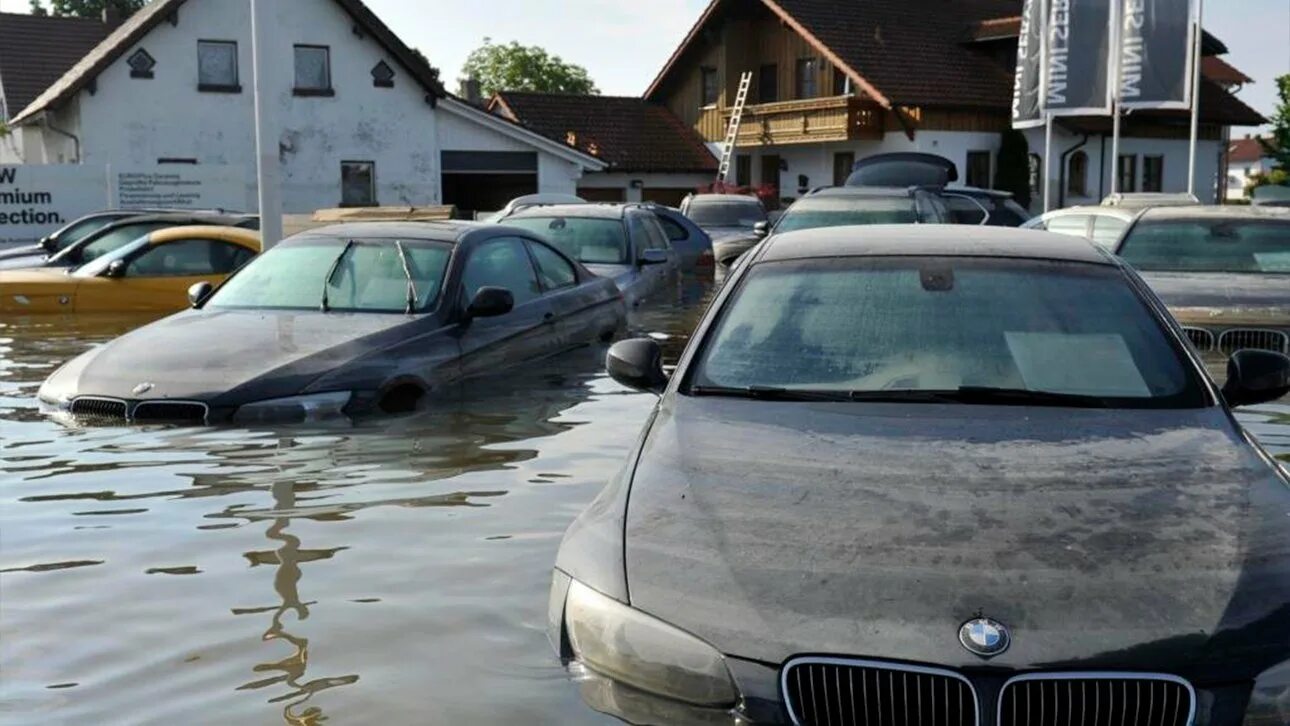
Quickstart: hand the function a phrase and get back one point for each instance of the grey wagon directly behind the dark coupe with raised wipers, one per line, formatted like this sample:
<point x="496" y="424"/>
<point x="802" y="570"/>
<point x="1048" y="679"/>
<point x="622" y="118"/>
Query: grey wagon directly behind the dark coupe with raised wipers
<point x="625" y="243"/>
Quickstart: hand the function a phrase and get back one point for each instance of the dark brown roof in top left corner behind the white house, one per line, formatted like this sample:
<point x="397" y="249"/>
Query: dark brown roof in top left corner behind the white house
<point x="37" y="51"/>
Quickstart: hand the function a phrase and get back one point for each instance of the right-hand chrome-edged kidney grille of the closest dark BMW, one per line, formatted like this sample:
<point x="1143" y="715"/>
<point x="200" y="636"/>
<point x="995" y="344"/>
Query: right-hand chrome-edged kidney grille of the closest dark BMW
<point x="1097" y="700"/>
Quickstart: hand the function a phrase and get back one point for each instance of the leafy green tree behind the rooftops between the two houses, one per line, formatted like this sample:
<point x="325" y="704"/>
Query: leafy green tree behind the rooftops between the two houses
<point x="526" y="68"/>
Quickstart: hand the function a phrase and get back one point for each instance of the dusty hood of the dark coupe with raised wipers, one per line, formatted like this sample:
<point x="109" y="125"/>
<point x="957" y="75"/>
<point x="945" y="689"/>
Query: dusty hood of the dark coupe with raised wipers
<point x="225" y="358"/>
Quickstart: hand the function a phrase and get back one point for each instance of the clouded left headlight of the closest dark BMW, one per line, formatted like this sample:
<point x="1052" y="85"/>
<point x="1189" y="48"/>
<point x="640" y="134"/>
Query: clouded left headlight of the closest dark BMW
<point x="643" y="652"/>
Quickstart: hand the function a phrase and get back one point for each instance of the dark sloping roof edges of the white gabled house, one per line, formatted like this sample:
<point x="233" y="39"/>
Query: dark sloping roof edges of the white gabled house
<point x="158" y="11"/>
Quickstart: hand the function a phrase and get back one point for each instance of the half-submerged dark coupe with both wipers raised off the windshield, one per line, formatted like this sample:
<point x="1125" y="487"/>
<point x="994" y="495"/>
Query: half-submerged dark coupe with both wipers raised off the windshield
<point x="348" y="320"/>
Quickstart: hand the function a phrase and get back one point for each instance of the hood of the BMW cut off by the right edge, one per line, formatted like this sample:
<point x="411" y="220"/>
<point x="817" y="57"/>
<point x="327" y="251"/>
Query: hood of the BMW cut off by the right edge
<point x="1233" y="292"/>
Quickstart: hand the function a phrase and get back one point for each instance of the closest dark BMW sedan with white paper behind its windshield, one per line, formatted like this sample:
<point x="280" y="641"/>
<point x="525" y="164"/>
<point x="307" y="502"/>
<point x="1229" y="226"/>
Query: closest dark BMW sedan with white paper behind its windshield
<point x="936" y="476"/>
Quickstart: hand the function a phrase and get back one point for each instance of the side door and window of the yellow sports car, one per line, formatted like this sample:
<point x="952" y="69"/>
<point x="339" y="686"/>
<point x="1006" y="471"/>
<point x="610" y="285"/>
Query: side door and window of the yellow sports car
<point x="157" y="279"/>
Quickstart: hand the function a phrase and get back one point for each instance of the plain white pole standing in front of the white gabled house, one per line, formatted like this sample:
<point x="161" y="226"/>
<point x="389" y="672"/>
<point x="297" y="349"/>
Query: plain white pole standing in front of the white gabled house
<point x="266" y="136"/>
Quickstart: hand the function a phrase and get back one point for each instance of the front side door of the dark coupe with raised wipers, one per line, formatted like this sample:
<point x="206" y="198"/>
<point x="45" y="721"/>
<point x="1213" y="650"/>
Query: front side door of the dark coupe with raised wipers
<point x="524" y="335"/>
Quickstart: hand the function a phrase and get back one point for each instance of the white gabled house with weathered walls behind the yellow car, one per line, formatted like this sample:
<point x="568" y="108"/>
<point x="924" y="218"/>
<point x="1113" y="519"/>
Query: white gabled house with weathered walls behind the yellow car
<point x="364" y="119"/>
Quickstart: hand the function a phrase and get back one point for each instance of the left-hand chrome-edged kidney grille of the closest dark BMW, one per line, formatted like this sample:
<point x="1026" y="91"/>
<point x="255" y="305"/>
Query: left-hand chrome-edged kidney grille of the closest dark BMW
<point x="825" y="692"/>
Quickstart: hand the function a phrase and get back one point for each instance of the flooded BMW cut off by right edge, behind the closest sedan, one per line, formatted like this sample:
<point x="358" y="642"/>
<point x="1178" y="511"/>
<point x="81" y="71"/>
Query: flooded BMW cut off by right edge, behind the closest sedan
<point x="1224" y="271"/>
